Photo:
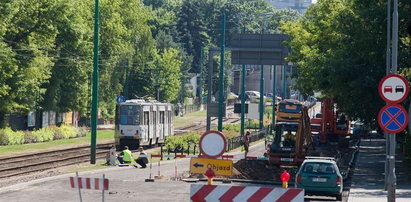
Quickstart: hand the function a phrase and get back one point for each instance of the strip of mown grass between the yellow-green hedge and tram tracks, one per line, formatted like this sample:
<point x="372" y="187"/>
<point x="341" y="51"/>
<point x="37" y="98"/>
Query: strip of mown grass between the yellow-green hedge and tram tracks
<point x="102" y="135"/>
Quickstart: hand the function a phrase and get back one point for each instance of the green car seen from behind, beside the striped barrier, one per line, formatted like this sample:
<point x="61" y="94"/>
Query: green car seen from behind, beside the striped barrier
<point x="320" y="176"/>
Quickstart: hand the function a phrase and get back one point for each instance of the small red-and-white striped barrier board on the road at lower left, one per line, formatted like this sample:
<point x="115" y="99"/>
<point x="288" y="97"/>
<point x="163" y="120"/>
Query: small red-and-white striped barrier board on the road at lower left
<point x="89" y="183"/>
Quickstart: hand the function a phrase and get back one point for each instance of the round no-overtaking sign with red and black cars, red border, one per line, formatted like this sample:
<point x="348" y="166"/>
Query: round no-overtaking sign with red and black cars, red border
<point x="393" y="88"/>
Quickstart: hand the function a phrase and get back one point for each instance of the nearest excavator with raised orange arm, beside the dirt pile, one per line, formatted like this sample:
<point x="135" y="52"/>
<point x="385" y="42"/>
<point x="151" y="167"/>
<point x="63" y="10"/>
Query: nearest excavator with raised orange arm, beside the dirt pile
<point x="292" y="141"/>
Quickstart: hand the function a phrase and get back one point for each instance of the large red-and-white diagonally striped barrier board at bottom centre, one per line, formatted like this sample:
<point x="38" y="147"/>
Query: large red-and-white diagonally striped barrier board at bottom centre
<point x="204" y="193"/>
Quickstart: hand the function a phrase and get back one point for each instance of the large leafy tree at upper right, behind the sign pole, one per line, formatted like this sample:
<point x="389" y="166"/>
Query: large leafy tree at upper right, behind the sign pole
<point x="339" y="47"/>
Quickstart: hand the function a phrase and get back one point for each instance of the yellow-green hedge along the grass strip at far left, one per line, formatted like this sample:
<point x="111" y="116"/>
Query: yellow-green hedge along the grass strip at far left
<point x="10" y="137"/>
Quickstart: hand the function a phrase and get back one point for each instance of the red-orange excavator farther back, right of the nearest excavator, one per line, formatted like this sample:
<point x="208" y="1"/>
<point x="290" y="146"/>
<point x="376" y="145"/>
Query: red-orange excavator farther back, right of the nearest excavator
<point x="331" y="124"/>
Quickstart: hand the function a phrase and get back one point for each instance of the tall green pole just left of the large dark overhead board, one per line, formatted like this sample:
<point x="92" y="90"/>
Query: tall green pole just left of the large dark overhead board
<point x="221" y="86"/>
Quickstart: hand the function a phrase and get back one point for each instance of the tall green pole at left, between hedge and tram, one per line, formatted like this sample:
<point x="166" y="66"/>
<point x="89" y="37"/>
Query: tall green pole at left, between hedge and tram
<point x="95" y="88"/>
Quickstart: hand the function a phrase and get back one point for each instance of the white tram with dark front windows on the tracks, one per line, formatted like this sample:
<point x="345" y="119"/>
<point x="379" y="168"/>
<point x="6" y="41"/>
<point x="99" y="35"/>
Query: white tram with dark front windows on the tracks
<point x="142" y="122"/>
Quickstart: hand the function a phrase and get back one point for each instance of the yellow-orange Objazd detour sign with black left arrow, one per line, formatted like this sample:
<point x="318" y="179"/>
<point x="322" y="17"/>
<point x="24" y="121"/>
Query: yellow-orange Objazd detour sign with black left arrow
<point x="219" y="166"/>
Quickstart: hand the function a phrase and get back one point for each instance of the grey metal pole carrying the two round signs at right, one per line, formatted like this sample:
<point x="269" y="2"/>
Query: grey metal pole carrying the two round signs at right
<point x="392" y="179"/>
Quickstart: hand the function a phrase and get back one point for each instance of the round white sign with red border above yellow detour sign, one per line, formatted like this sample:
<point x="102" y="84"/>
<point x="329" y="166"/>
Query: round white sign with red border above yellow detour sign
<point x="213" y="144"/>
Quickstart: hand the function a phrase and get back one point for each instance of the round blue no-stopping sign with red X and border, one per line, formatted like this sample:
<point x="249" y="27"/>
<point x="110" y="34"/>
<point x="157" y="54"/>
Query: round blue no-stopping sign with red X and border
<point x="393" y="118"/>
